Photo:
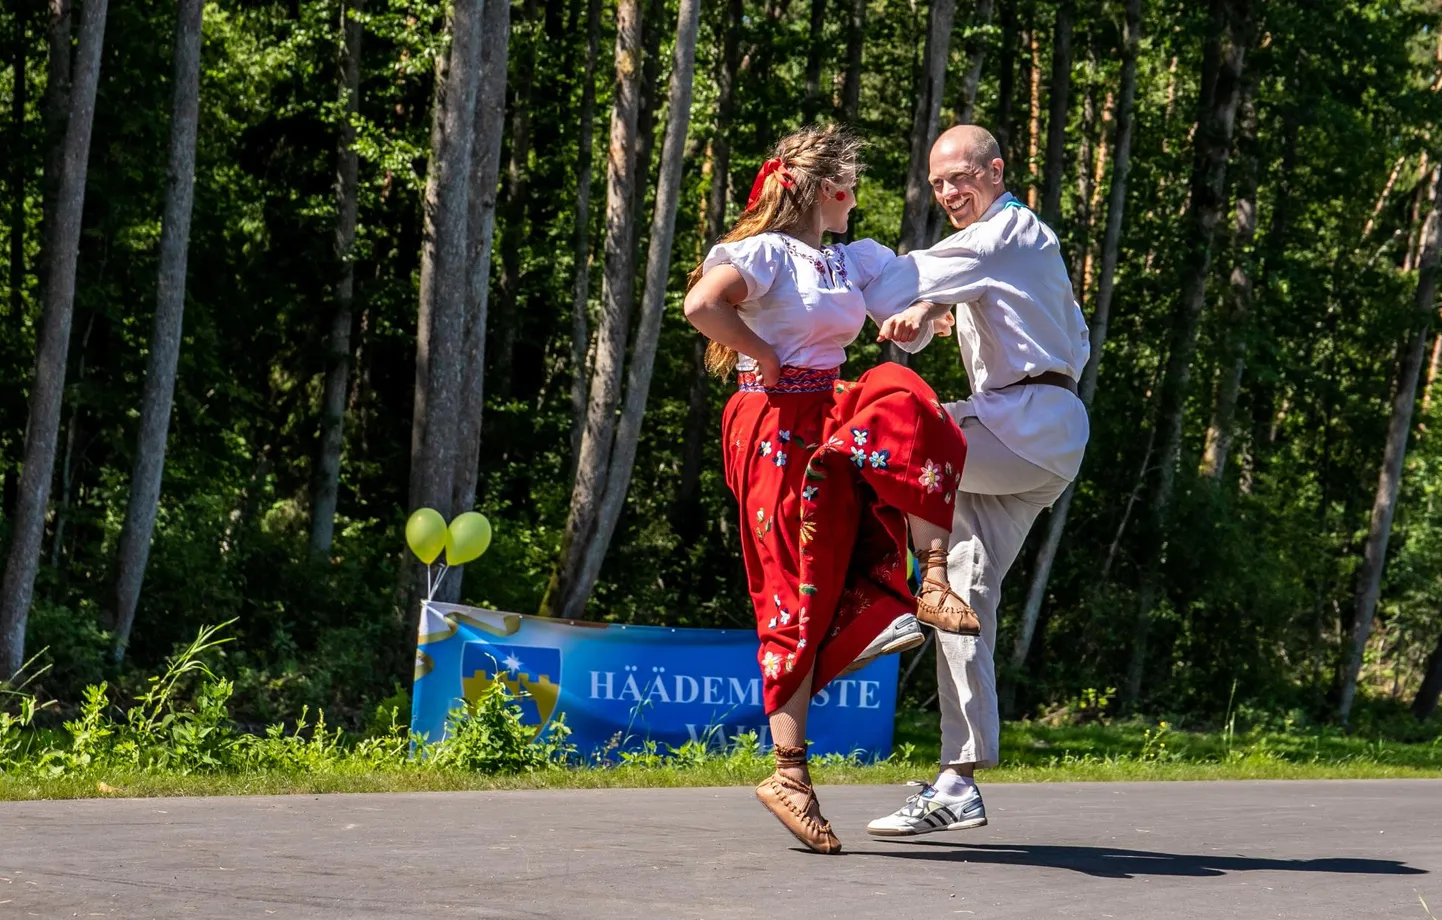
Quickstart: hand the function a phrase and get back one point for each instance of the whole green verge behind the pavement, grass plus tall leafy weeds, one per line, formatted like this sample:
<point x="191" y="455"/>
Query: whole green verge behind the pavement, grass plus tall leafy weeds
<point x="178" y="739"/>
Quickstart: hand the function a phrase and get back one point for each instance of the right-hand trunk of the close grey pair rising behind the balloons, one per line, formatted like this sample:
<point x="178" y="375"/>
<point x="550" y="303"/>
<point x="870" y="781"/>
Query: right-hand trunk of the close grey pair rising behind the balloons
<point x="481" y="231"/>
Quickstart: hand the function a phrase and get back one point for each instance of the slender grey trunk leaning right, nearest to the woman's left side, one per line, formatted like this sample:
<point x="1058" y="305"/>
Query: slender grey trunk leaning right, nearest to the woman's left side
<point x="654" y="302"/>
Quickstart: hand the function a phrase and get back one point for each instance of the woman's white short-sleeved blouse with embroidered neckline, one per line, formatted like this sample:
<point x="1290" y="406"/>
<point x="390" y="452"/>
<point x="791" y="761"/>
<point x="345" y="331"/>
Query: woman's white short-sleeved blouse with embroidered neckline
<point x="805" y="304"/>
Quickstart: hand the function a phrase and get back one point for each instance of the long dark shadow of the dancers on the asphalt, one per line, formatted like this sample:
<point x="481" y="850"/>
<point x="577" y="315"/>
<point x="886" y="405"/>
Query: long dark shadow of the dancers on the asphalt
<point x="1111" y="863"/>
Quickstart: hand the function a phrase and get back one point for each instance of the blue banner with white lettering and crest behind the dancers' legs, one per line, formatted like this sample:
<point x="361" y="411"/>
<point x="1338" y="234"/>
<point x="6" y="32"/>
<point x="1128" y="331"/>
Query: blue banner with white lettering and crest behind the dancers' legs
<point x="624" y="686"/>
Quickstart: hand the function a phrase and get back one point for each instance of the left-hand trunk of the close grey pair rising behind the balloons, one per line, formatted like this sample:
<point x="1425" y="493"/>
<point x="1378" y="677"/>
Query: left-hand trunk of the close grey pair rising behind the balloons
<point x="445" y="262"/>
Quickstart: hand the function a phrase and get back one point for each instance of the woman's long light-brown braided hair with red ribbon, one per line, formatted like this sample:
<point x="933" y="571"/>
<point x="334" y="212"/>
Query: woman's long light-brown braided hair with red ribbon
<point x="788" y="198"/>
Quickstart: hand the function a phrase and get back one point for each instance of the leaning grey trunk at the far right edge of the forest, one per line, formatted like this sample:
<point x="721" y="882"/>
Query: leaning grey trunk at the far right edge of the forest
<point x="1389" y="479"/>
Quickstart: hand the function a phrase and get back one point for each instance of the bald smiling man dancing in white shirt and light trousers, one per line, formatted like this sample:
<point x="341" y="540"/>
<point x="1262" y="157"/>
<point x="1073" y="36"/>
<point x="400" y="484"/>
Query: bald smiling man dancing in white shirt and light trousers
<point x="1025" y="345"/>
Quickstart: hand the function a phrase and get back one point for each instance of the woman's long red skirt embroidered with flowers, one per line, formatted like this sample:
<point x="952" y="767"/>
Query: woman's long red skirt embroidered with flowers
<point x="826" y="474"/>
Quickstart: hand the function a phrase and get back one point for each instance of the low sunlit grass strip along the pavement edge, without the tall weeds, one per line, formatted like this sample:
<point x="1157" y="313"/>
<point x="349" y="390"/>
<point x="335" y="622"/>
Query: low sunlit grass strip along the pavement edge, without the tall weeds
<point x="1035" y="755"/>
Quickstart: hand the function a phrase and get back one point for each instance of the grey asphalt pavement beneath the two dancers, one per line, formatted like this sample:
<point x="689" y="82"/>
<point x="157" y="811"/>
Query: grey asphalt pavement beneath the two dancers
<point x="1311" y="850"/>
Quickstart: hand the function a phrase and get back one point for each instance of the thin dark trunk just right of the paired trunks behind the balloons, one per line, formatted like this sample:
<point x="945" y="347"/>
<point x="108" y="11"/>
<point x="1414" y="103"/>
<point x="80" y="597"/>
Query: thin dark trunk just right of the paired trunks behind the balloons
<point x="514" y="210"/>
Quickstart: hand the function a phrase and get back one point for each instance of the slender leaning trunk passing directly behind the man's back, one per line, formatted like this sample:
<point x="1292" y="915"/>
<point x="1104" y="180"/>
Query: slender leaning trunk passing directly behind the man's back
<point x="1101" y="317"/>
